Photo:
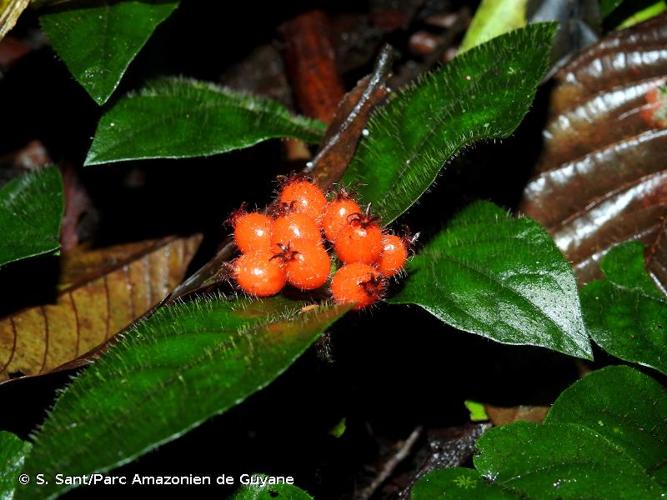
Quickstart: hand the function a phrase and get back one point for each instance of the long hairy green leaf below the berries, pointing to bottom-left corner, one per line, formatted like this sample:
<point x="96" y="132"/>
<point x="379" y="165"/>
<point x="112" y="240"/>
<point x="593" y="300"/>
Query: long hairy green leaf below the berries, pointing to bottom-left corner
<point x="171" y="372"/>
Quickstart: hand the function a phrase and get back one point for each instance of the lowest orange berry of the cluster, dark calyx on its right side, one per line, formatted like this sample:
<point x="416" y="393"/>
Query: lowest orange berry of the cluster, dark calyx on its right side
<point x="358" y="284"/>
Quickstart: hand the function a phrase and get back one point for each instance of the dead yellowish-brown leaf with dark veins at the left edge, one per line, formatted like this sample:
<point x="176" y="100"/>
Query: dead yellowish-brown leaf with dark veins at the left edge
<point x="100" y="292"/>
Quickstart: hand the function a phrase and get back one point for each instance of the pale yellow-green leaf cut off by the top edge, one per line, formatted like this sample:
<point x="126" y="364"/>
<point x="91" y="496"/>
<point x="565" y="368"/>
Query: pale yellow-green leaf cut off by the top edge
<point x="493" y="18"/>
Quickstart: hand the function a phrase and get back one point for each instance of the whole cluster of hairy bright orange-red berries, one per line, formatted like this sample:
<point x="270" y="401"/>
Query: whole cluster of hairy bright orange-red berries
<point x="286" y="246"/>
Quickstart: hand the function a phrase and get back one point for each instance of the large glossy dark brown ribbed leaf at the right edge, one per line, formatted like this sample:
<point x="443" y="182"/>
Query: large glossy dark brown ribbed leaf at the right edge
<point x="602" y="177"/>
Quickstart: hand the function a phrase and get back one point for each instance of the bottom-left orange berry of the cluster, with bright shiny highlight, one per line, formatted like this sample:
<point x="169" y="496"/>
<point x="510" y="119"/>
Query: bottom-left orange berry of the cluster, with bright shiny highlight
<point x="259" y="273"/>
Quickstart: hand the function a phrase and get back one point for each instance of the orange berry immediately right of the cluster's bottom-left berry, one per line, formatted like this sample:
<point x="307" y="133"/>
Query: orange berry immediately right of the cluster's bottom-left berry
<point x="308" y="267"/>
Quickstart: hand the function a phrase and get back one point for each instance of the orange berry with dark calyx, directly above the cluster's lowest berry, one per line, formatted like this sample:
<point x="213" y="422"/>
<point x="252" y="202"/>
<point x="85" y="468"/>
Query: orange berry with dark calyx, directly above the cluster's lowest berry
<point x="359" y="241"/>
